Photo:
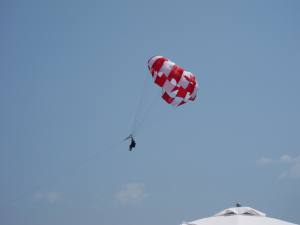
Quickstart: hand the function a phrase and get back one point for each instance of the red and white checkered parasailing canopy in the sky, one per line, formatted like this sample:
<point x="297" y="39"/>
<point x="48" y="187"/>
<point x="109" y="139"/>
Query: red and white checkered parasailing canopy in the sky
<point x="178" y="85"/>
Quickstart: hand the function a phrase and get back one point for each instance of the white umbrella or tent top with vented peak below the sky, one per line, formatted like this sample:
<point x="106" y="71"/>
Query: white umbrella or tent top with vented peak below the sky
<point x="239" y="216"/>
